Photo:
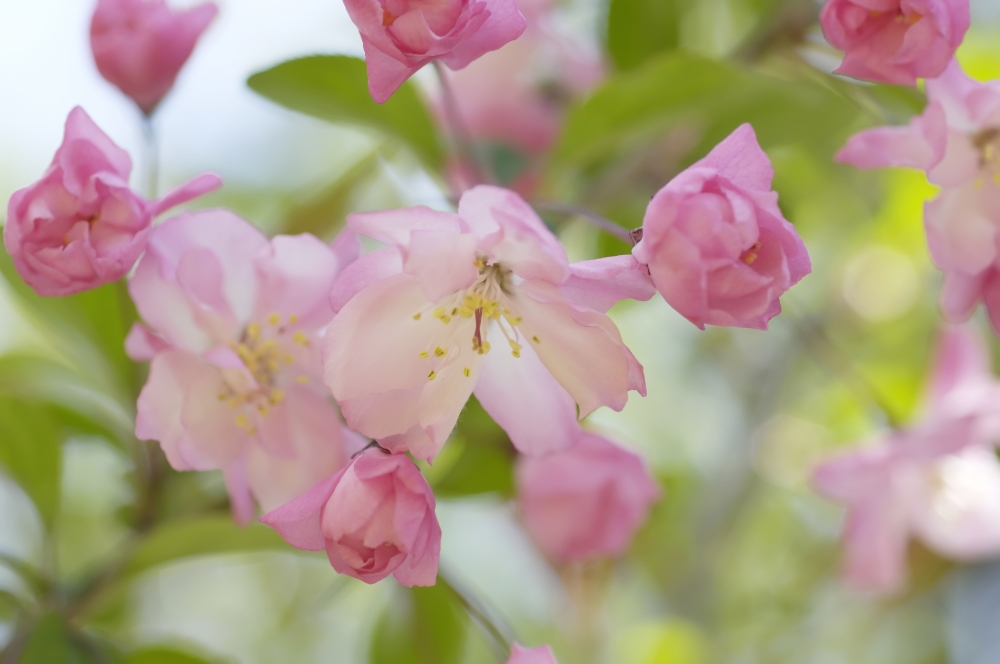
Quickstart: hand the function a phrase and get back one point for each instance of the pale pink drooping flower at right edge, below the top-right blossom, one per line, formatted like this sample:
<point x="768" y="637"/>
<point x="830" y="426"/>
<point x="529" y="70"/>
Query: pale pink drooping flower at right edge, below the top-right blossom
<point x="956" y="141"/>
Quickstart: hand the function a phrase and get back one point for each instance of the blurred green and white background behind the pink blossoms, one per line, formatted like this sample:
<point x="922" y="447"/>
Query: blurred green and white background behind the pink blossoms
<point x="738" y="562"/>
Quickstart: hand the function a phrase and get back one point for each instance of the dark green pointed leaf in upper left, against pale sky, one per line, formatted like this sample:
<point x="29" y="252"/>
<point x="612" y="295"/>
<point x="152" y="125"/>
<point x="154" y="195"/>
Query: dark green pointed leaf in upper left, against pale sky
<point x="335" y="88"/>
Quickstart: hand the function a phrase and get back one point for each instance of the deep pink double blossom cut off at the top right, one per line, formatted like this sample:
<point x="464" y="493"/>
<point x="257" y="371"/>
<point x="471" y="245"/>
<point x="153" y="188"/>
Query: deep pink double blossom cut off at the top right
<point x="895" y="41"/>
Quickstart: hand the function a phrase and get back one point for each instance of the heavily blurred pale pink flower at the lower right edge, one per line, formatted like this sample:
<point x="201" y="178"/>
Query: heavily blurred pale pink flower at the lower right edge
<point x="938" y="481"/>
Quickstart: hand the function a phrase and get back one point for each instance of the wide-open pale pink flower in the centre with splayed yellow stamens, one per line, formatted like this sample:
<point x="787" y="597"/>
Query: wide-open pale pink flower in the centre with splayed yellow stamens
<point x="419" y="323"/>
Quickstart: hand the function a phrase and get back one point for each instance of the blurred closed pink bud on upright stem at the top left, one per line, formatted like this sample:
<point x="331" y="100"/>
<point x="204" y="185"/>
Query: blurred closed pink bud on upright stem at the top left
<point x="140" y="45"/>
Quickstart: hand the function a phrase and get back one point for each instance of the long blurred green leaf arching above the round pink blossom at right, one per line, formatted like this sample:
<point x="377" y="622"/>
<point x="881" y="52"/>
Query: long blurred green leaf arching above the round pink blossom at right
<point x="706" y="99"/>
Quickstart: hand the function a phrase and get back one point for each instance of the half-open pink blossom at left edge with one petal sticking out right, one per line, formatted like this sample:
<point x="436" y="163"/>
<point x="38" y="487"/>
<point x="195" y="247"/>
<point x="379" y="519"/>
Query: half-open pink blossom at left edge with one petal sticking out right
<point x="80" y="226"/>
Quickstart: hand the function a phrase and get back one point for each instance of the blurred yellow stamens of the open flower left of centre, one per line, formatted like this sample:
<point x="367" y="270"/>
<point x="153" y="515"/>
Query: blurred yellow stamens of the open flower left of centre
<point x="264" y="350"/>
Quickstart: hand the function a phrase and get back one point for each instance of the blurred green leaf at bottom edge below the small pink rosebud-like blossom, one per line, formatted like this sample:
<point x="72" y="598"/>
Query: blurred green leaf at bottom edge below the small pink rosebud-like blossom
<point x="424" y="626"/>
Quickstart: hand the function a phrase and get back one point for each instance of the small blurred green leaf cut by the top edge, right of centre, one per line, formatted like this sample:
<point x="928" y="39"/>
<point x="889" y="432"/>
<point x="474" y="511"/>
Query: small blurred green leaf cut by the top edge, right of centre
<point x="640" y="29"/>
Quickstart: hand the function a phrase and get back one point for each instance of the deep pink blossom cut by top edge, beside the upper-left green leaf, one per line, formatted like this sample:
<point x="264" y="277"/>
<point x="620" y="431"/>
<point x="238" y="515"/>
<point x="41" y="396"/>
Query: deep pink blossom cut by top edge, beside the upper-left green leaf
<point x="401" y="36"/>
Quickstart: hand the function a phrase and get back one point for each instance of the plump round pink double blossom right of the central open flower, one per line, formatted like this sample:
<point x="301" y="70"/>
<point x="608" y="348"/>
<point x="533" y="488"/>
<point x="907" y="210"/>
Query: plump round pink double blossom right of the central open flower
<point x="715" y="242"/>
